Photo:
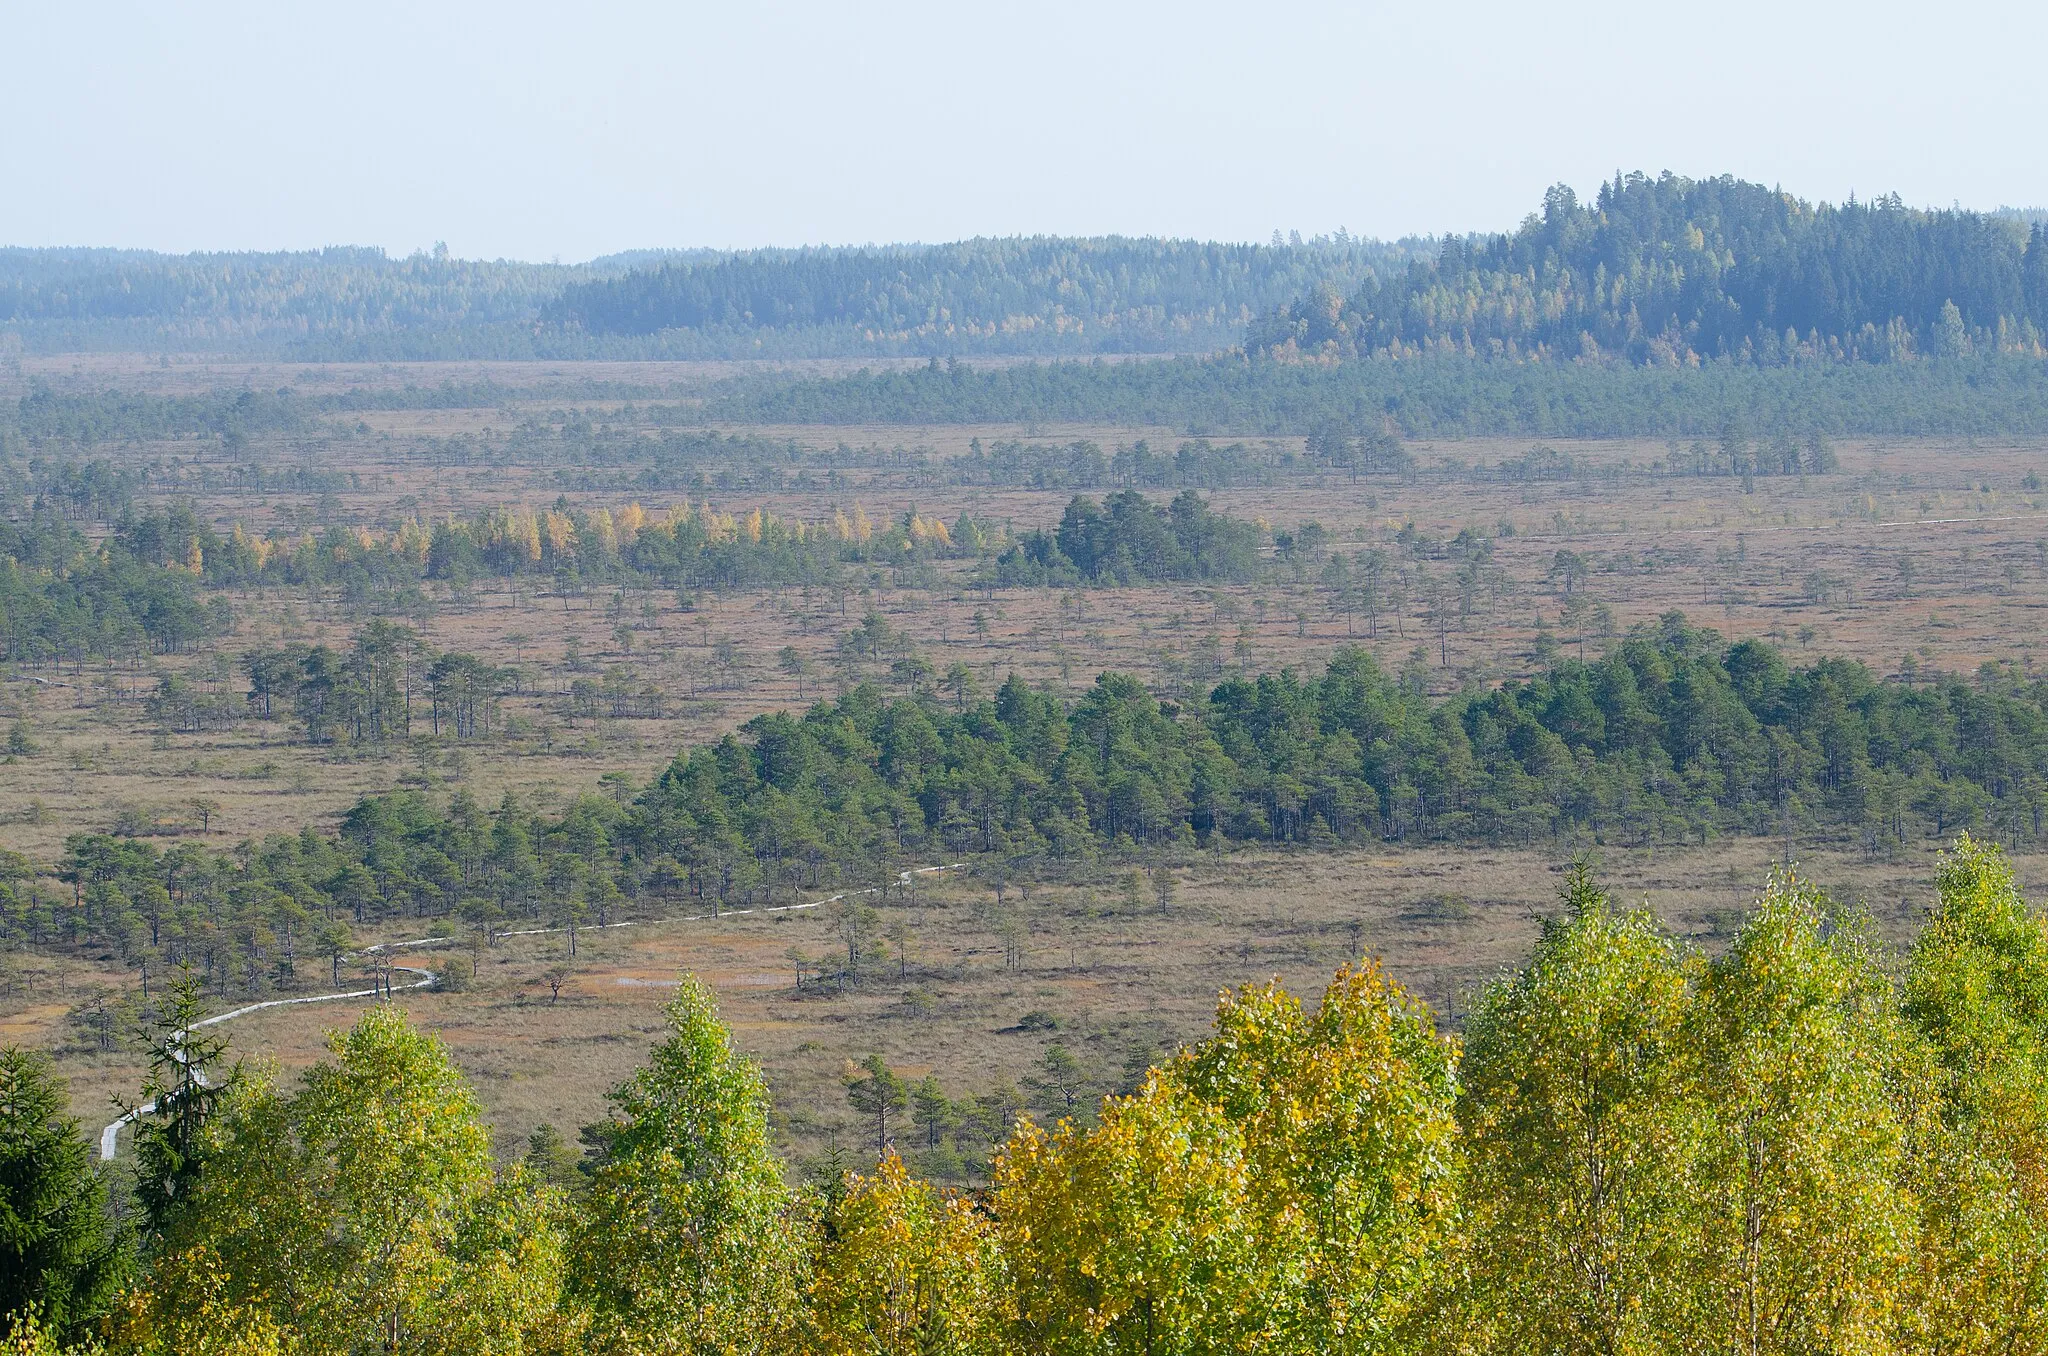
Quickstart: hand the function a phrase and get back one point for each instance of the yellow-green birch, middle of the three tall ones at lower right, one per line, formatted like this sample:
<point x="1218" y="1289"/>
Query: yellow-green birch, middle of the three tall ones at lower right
<point x="1805" y="1230"/>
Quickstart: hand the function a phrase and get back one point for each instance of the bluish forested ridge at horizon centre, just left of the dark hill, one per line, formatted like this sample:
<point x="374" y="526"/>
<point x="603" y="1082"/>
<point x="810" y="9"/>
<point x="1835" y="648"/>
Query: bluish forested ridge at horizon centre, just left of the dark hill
<point x="978" y="296"/>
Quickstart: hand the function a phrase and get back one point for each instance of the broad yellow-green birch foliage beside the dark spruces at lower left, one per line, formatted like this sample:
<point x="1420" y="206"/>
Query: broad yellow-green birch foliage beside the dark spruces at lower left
<point x="364" y="1214"/>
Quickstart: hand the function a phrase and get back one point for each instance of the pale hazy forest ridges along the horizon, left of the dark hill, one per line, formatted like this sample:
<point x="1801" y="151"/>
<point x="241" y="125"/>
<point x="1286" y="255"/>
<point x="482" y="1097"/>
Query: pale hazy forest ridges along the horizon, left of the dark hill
<point x="1043" y="296"/>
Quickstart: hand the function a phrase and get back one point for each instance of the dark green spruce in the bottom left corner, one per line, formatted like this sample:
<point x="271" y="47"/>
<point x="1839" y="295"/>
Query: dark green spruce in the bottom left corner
<point x="60" y="1257"/>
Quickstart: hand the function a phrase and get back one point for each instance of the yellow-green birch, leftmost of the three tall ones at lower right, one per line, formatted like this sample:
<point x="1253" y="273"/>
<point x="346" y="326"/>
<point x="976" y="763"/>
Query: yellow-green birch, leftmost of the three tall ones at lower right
<point x="1580" y="1138"/>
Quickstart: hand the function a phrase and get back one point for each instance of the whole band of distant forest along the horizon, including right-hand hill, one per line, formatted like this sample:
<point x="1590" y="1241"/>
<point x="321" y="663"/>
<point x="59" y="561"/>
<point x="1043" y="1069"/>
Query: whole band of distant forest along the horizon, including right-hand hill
<point x="1660" y="273"/>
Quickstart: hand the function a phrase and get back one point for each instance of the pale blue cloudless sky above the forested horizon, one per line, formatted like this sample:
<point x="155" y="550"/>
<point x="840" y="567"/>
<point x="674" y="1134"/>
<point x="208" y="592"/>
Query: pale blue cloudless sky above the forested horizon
<point x="579" y="130"/>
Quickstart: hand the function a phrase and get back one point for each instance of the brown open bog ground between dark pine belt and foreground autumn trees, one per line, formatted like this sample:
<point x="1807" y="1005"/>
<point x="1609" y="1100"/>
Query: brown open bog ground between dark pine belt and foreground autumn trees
<point x="1123" y="984"/>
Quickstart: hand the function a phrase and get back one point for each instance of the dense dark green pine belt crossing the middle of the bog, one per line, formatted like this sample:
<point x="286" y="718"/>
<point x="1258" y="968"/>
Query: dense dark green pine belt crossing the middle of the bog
<point x="1672" y="738"/>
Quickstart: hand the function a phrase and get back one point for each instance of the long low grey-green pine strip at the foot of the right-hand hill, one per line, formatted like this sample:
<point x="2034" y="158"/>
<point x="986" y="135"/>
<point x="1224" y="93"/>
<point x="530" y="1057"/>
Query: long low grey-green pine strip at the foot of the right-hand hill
<point x="1433" y="396"/>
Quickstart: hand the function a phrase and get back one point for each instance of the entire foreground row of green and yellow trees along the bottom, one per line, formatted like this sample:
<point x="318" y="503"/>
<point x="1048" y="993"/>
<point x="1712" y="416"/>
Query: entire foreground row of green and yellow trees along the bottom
<point x="1635" y="1148"/>
